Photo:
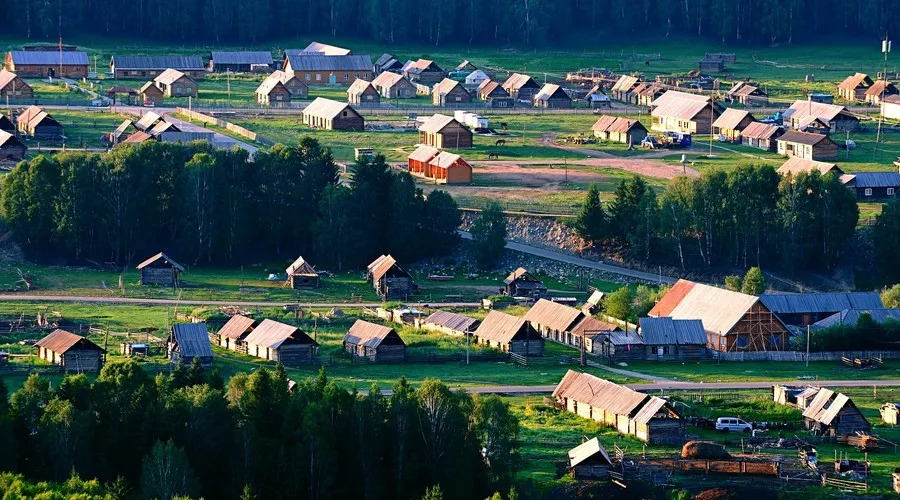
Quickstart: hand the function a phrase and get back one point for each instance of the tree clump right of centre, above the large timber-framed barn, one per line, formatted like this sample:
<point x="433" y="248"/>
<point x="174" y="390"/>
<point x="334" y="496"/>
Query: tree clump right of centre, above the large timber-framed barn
<point x="749" y="216"/>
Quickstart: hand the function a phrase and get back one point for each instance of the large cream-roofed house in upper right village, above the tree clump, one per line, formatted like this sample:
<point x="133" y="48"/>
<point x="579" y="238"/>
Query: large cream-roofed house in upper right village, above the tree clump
<point x="683" y="112"/>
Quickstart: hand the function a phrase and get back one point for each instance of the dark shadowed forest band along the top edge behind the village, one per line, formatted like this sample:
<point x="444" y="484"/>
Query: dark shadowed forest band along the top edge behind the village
<point x="436" y="22"/>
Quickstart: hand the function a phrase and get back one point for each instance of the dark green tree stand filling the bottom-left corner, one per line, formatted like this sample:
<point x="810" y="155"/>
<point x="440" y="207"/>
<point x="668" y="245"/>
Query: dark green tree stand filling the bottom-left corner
<point x="189" y="434"/>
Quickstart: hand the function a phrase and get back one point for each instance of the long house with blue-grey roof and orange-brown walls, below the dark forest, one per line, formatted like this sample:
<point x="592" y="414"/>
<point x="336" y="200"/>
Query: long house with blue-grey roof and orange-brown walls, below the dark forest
<point x="324" y="69"/>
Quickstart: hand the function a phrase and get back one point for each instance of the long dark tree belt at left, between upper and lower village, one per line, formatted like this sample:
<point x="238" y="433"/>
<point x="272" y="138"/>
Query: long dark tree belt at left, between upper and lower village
<point x="206" y="206"/>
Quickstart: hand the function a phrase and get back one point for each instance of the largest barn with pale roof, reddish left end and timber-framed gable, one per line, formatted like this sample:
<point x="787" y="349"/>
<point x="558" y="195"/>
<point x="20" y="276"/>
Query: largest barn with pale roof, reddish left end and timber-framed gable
<point x="734" y="321"/>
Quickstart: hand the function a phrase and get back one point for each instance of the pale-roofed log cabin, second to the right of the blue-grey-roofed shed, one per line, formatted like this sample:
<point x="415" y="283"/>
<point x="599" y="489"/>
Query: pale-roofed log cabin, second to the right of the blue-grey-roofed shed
<point x="282" y="343"/>
